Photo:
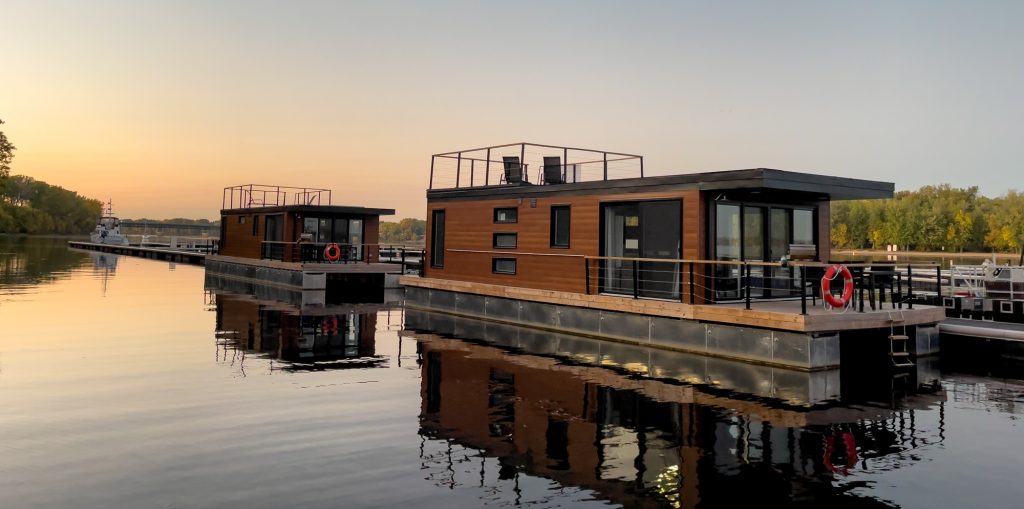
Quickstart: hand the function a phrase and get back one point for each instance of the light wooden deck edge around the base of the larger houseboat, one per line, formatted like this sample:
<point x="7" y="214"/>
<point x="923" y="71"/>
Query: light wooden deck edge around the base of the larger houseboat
<point x="776" y="315"/>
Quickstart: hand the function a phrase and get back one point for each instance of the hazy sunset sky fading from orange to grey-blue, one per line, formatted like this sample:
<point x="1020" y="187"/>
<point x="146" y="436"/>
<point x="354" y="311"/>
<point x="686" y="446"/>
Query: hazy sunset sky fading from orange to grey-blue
<point x="159" y="106"/>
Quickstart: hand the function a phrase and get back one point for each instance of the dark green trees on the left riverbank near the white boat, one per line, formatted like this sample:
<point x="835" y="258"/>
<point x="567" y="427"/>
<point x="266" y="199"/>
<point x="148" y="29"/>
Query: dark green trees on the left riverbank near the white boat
<point x="30" y="206"/>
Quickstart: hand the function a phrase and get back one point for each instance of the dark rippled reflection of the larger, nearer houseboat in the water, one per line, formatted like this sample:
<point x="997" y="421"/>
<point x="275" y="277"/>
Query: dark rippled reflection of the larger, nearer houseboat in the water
<point x="647" y="443"/>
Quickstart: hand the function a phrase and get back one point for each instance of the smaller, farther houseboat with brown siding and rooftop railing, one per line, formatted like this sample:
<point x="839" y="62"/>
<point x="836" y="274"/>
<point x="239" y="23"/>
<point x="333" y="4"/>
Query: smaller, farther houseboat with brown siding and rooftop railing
<point x="296" y="239"/>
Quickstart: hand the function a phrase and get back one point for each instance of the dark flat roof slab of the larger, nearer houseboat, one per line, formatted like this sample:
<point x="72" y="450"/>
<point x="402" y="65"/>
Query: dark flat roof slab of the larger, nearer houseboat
<point x="757" y="179"/>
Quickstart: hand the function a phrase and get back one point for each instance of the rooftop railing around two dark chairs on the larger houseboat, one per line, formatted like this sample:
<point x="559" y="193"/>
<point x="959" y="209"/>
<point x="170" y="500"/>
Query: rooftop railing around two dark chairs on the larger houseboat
<point x="525" y="164"/>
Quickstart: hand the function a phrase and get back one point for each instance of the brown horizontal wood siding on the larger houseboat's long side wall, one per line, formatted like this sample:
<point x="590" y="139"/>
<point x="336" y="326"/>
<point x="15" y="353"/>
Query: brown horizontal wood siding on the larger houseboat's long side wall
<point x="471" y="228"/>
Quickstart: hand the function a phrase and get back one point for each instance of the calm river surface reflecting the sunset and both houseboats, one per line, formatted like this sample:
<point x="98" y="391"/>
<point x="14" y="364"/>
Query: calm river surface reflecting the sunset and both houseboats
<point x="125" y="384"/>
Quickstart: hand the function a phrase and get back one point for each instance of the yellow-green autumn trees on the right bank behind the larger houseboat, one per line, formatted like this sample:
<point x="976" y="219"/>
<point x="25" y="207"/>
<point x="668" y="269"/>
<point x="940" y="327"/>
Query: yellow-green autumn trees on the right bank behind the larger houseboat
<point x="932" y="219"/>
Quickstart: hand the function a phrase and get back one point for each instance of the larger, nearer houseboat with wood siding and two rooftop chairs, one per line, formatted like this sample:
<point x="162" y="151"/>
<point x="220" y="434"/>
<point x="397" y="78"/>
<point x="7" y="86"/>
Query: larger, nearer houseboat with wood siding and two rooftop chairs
<point x="730" y="264"/>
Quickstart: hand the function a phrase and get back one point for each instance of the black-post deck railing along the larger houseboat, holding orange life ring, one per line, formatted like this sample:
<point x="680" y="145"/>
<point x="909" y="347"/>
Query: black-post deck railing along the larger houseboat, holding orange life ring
<point x="699" y="282"/>
